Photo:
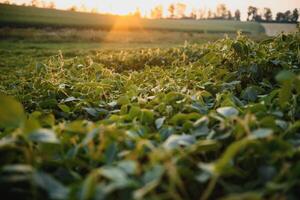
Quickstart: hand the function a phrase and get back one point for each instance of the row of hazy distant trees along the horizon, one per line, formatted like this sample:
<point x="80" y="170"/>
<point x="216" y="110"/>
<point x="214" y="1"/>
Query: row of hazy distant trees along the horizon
<point x="179" y="11"/>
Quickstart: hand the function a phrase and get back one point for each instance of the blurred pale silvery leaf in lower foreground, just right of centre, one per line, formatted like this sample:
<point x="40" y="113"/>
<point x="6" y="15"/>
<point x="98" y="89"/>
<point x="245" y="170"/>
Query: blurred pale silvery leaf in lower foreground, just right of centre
<point x="175" y="141"/>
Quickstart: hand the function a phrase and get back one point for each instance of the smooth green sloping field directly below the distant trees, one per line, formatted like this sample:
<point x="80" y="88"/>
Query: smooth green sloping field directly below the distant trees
<point x="29" y="16"/>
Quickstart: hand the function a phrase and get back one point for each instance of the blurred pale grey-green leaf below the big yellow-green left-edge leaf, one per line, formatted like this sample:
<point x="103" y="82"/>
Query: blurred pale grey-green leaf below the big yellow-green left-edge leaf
<point x="44" y="136"/>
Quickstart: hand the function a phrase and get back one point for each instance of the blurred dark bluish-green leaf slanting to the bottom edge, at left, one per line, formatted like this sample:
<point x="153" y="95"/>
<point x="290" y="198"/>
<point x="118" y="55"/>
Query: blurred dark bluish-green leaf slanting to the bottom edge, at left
<point x="54" y="188"/>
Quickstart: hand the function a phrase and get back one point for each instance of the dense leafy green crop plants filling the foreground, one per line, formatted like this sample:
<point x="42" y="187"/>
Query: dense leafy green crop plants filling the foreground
<point x="218" y="121"/>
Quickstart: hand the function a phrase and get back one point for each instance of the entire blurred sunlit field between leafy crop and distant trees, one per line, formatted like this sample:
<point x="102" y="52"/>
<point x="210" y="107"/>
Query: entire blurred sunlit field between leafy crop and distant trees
<point x="35" y="33"/>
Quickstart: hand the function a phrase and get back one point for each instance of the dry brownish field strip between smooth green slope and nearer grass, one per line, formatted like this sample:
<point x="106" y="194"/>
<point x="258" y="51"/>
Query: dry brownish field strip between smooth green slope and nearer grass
<point x="71" y="35"/>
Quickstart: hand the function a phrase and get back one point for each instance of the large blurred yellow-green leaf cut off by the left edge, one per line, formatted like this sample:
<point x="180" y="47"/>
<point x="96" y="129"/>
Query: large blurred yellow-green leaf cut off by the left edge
<point x="11" y="112"/>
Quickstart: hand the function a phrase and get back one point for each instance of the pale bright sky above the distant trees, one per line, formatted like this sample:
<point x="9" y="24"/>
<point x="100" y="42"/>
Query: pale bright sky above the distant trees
<point x="127" y="6"/>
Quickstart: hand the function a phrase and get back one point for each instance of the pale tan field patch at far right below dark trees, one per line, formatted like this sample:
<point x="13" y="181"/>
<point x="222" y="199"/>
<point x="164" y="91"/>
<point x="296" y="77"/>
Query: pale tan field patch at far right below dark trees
<point x="273" y="29"/>
